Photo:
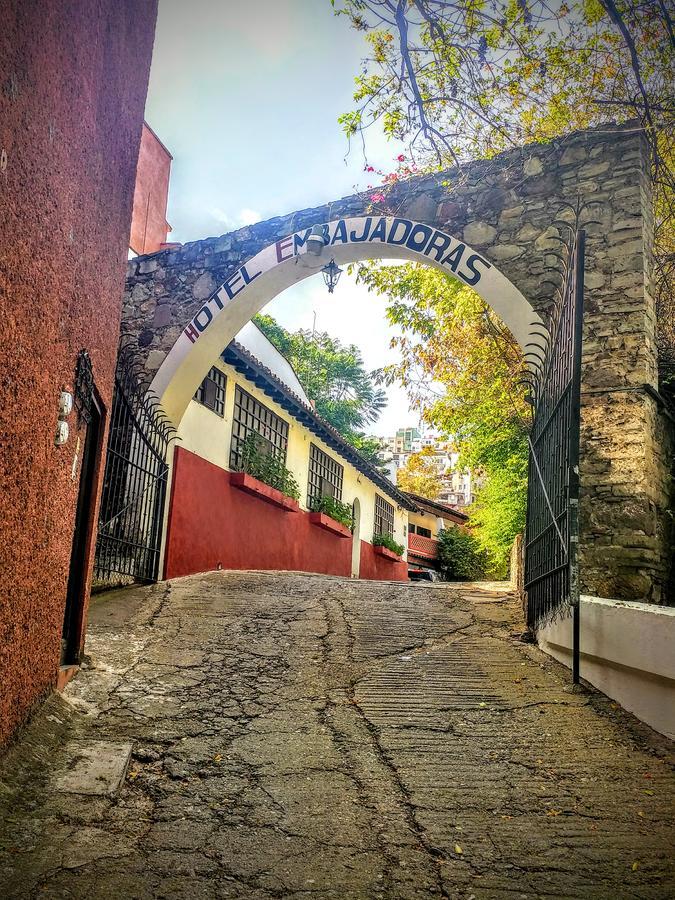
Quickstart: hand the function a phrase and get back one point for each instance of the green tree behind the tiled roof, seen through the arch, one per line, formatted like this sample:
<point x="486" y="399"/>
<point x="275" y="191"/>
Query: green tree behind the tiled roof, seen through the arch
<point x="334" y="377"/>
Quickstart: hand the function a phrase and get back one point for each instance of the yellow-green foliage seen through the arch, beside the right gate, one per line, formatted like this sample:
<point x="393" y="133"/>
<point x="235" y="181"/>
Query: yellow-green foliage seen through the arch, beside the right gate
<point x="461" y="369"/>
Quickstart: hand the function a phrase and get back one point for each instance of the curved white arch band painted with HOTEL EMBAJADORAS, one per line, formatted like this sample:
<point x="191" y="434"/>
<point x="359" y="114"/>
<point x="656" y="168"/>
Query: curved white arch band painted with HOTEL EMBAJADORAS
<point x="288" y="261"/>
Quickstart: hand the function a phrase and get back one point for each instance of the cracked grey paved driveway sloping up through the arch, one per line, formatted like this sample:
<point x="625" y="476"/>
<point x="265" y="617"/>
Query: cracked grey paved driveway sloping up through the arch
<point x="311" y="737"/>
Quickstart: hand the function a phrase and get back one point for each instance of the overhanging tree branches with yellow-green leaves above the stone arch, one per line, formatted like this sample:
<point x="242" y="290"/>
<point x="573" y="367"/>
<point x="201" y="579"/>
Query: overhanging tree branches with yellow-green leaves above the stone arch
<point x="458" y="79"/>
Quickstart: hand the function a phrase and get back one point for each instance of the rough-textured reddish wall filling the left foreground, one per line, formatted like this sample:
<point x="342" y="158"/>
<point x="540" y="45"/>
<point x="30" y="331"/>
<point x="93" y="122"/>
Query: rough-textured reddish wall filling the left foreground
<point x="74" y="80"/>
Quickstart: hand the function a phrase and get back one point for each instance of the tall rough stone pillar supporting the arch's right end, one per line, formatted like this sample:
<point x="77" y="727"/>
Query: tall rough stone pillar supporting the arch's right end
<point x="624" y="483"/>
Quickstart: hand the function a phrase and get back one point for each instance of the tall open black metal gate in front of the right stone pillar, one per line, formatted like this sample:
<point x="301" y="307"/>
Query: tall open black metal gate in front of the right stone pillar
<point x="552" y="529"/>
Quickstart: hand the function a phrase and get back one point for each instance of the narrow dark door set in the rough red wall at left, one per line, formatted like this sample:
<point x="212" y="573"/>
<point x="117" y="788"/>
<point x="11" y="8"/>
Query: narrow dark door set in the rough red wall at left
<point x="84" y="523"/>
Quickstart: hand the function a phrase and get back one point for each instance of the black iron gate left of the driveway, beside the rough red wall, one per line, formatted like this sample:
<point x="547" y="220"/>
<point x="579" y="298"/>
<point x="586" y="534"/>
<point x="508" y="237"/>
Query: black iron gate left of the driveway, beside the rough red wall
<point x="134" y="485"/>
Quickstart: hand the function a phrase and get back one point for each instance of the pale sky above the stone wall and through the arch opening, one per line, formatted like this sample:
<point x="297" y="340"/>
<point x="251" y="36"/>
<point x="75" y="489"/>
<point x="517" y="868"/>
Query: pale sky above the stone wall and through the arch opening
<point x="246" y="96"/>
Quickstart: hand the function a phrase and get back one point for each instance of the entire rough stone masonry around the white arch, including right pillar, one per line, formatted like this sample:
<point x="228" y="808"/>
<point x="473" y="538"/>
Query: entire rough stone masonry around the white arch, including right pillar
<point x="504" y="208"/>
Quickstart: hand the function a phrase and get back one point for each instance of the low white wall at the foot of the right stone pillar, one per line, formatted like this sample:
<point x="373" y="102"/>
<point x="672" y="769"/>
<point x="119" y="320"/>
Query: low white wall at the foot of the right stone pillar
<point x="627" y="652"/>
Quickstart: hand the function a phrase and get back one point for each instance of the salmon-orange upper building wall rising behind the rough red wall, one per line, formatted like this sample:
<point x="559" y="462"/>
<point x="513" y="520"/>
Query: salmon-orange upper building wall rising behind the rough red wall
<point x="149" y="227"/>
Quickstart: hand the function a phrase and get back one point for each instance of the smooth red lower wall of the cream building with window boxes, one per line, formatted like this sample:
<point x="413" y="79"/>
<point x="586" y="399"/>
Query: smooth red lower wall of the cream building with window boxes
<point x="213" y="524"/>
